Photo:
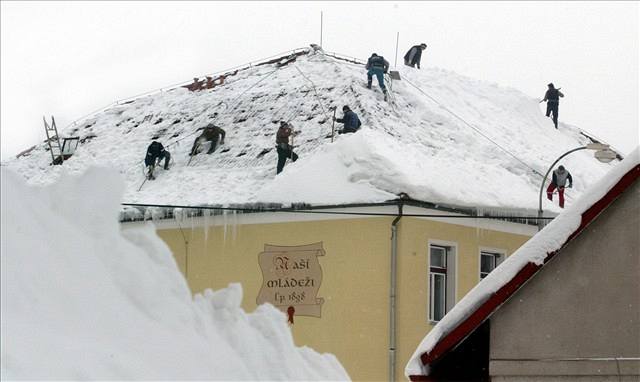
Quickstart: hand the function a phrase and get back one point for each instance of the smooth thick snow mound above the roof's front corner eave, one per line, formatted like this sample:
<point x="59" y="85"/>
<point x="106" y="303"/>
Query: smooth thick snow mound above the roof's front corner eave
<point x="367" y="167"/>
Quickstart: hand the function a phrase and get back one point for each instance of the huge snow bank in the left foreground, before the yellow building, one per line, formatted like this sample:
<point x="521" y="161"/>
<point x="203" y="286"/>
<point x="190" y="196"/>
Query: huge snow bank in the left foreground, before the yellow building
<point x="82" y="301"/>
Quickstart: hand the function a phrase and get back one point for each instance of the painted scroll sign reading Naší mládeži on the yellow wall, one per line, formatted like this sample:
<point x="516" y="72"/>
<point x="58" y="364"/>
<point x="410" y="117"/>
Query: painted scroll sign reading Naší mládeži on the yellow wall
<point x="291" y="279"/>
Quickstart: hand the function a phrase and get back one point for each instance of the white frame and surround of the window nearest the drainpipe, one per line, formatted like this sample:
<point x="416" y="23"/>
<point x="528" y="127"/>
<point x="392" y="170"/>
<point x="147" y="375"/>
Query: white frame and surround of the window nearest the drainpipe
<point x="451" y="276"/>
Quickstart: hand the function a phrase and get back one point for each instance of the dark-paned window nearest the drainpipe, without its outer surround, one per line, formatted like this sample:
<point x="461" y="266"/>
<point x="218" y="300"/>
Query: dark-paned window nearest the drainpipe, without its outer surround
<point x="437" y="282"/>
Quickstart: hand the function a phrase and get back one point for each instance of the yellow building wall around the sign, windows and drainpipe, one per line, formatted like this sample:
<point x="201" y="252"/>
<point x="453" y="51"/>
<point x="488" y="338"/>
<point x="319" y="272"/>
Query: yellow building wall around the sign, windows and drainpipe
<point x="355" y="278"/>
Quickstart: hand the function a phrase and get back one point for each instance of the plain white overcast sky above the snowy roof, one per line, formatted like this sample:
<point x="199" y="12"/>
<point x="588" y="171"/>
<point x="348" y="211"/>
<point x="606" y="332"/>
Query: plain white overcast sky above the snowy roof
<point x="69" y="58"/>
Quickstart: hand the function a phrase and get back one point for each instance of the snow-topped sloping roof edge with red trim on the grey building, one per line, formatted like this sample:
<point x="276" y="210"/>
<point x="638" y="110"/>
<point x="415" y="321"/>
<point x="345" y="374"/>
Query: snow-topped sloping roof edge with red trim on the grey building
<point x="505" y="280"/>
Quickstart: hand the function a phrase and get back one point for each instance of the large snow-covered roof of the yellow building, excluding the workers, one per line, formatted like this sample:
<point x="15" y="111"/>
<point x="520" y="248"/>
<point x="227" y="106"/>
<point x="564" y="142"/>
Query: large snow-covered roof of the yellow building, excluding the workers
<point x="446" y="139"/>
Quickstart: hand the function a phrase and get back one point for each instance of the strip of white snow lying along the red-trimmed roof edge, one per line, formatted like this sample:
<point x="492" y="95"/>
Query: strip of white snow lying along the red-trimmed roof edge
<point x="550" y="239"/>
